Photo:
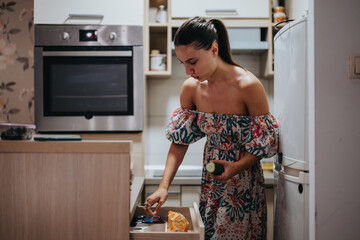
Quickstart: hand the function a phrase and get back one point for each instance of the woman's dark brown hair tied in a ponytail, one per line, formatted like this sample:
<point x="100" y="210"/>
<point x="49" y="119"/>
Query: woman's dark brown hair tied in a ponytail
<point x="202" y="33"/>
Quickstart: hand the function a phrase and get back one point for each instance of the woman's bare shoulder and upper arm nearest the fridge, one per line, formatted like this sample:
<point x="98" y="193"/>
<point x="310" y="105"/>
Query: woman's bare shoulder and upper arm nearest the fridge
<point x="254" y="95"/>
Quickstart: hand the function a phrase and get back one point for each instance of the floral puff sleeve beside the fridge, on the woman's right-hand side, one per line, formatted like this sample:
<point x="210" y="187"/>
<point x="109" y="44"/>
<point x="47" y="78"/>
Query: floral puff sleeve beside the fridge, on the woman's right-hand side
<point x="263" y="136"/>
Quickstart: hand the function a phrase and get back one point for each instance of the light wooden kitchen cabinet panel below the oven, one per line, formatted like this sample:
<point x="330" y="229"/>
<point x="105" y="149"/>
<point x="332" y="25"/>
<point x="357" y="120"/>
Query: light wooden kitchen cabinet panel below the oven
<point x="65" y="190"/>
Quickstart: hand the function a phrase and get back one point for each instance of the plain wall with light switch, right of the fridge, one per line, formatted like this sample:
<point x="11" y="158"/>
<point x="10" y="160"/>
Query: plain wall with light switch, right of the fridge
<point x="337" y="118"/>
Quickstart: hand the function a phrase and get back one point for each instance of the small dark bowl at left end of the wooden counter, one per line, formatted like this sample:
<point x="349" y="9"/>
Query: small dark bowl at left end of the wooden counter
<point x="12" y="131"/>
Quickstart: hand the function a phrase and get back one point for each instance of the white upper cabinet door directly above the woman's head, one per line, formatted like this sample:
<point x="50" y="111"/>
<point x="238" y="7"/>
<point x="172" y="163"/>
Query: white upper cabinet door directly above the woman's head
<point x="222" y="9"/>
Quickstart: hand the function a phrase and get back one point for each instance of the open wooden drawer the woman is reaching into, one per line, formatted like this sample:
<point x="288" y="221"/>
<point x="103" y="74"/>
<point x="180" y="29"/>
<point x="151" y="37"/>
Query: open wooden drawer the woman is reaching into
<point x="158" y="231"/>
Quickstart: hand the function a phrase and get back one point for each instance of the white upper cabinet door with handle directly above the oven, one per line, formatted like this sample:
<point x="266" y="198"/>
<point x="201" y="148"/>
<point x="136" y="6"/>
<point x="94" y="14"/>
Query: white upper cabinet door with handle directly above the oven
<point x="106" y="12"/>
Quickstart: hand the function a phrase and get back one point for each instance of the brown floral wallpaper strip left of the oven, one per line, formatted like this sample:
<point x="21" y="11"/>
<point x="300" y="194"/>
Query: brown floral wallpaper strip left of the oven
<point x="17" y="61"/>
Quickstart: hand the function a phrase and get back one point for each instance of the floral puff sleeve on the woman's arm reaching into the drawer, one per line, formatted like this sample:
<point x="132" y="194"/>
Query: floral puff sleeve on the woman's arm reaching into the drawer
<point x="182" y="127"/>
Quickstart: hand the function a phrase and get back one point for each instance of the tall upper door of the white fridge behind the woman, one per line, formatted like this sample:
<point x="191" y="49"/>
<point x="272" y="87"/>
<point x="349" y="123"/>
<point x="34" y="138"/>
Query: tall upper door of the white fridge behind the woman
<point x="290" y="93"/>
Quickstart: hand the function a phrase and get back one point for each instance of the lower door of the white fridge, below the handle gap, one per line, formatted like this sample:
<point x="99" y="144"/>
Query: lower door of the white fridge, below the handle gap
<point x="291" y="205"/>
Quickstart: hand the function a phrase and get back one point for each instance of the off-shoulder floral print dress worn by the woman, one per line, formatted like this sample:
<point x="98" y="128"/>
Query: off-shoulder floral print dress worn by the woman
<point x="235" y="209"/>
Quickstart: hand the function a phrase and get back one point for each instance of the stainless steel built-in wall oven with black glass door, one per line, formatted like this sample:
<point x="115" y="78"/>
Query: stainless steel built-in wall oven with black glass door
<point x="88" y="78"/>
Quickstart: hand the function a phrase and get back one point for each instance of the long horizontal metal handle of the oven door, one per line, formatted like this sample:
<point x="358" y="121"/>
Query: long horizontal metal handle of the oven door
<point x="88" y="53"/>
